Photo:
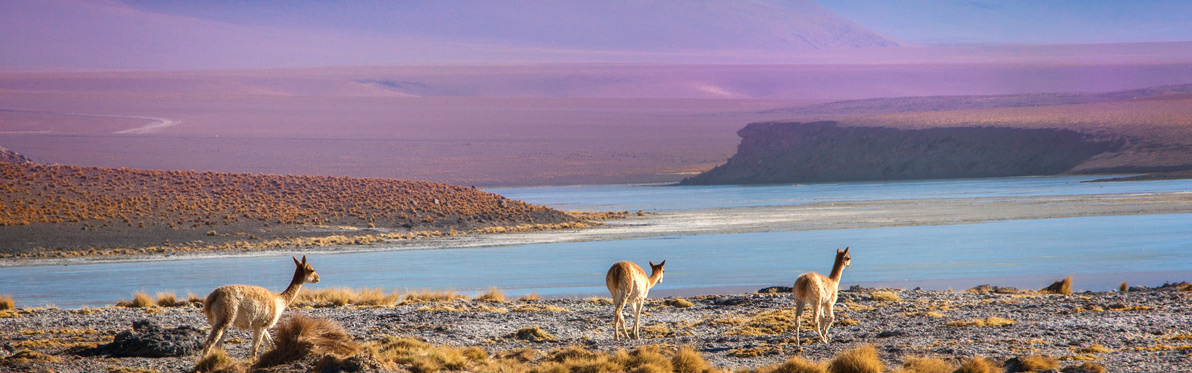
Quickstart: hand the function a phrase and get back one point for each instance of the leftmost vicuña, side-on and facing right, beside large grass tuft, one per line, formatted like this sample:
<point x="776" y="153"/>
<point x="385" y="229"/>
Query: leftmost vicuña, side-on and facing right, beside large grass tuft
<point x="252" y="308"/>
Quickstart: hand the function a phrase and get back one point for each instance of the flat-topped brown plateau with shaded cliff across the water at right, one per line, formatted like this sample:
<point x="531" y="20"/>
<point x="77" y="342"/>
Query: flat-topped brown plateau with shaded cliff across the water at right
<point x="942" y="138"/>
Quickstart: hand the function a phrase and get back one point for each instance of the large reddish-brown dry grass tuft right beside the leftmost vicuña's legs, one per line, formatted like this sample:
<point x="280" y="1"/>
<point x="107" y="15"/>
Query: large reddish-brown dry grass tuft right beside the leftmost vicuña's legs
<point x="300" y="337"/>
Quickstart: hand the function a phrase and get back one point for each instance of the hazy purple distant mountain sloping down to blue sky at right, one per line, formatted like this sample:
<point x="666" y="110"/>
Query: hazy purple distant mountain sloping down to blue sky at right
<point x="189" y="35"/>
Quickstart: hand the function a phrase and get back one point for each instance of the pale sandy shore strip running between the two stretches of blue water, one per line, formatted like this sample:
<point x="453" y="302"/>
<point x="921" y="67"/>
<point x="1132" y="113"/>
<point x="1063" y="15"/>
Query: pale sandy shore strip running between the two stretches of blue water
<point x="823" y="216"/>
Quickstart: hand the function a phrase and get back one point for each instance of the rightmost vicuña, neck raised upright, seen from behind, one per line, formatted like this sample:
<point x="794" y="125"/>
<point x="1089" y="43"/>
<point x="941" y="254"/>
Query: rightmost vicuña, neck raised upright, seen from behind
<point x="821" y="293"/>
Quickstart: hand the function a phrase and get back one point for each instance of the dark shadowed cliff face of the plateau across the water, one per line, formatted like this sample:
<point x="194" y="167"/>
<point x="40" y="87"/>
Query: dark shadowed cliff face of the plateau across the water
<point x="774" y="153"/>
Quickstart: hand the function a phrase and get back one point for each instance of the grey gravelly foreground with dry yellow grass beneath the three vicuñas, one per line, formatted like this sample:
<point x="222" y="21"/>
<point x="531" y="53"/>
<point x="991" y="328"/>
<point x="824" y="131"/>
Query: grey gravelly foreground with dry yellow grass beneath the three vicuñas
<point x="1143" y="331"/>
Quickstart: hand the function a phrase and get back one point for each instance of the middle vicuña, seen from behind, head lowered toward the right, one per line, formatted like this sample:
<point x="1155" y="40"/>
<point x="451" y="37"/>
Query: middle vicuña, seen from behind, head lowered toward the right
<point x="629" y="283"/>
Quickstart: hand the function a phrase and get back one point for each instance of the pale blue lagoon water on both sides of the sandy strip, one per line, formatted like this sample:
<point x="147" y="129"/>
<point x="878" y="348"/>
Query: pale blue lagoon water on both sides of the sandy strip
<point x="1141" y="250"/>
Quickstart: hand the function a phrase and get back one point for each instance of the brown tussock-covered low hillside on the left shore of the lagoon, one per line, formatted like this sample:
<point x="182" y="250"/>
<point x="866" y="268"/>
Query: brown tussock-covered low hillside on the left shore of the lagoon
<point x="67" y="210"/>
